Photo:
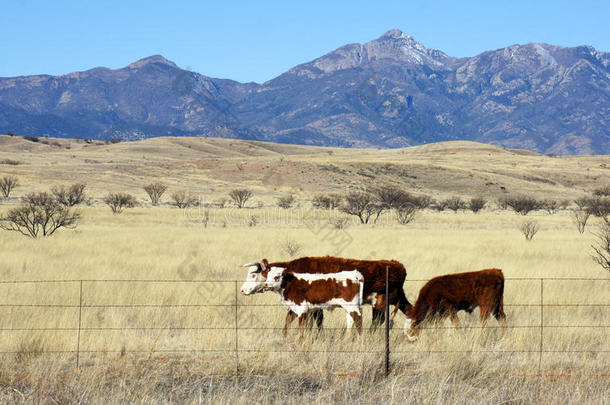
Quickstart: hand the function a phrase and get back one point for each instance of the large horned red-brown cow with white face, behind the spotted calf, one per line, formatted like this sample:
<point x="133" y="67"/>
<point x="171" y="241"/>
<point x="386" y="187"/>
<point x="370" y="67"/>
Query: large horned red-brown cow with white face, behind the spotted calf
<point x="373" y="271"/>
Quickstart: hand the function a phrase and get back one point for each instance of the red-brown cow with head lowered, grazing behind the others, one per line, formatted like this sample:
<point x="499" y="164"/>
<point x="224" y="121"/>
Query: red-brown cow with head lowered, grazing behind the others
<point x="446" y="295"/>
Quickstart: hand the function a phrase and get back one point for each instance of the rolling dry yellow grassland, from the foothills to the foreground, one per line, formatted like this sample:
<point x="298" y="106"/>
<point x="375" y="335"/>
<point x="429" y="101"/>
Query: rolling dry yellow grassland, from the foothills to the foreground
<point x="181" y="352"/>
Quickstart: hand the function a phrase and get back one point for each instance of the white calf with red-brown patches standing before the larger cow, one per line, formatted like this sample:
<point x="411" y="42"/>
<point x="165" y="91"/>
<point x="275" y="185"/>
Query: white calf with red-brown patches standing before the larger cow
<point x="302" y="293"/>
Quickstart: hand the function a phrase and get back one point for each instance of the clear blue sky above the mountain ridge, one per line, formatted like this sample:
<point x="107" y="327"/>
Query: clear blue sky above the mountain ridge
<point x="256" y="41"/>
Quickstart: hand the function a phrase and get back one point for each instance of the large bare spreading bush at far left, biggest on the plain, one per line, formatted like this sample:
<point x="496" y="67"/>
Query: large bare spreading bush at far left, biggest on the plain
<point x="39" y="215"/>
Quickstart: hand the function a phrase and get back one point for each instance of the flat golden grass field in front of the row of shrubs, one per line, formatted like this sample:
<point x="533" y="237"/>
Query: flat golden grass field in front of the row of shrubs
<point x="163" y="243"/>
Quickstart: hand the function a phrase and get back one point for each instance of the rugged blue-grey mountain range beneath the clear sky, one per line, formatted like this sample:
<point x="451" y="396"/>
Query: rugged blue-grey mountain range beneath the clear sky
<point x="390" y="92"/>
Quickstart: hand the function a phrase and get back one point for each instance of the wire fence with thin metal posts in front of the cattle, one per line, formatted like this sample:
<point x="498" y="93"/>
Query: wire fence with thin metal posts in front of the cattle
<point x="226" y="323"/>
